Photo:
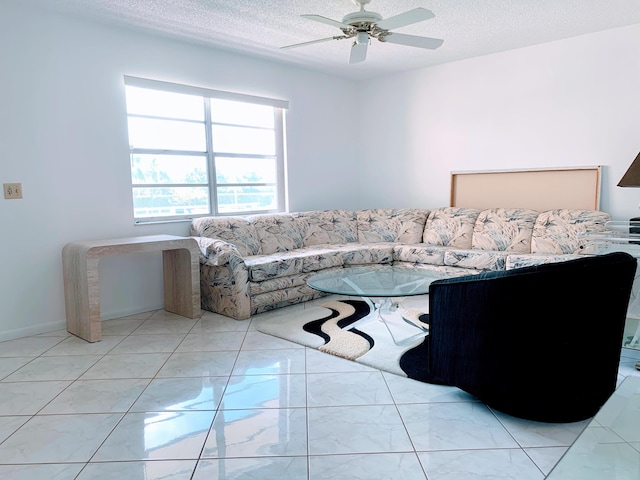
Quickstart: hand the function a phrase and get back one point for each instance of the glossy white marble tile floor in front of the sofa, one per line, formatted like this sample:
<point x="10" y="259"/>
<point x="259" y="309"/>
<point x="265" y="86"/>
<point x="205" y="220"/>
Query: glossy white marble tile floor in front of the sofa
<point x="165" y="397"/>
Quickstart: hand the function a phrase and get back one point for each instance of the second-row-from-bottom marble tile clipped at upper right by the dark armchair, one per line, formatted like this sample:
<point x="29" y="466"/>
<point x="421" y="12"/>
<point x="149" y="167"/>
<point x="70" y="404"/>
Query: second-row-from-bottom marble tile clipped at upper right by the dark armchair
<point x="454" y="426"/>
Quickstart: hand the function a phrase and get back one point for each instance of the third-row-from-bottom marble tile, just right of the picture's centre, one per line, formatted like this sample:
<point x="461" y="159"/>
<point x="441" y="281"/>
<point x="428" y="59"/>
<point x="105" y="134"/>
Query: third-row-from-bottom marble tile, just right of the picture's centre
<point x="348" y="388"/>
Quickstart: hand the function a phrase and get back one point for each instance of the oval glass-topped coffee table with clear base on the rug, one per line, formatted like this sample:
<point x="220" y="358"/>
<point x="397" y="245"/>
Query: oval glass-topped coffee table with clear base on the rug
<point x="380" y="287"/>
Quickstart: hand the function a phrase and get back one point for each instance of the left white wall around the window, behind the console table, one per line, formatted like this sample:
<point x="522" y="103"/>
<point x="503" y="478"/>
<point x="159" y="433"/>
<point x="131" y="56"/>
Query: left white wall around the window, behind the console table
<point x="63" y="134"/>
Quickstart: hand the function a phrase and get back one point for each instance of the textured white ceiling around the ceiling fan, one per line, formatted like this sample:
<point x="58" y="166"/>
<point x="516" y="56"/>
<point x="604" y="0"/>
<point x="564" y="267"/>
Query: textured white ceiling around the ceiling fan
<point x="469" y="28"/>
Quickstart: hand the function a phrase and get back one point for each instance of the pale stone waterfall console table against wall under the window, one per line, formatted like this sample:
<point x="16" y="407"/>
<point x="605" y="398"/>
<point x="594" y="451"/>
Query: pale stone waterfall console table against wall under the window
<point x="181" y="273"/>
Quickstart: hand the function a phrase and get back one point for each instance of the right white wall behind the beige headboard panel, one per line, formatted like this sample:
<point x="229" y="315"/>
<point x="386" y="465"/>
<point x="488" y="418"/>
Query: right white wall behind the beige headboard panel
<point x="568" y="103"/>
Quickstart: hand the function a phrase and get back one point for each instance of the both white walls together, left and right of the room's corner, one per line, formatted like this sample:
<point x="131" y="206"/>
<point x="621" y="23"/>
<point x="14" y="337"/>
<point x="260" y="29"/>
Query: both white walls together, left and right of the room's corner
<point x="389" y="142"/>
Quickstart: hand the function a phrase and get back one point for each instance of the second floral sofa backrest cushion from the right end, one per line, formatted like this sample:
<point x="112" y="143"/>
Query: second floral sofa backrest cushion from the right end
<point x="504" y="229"/>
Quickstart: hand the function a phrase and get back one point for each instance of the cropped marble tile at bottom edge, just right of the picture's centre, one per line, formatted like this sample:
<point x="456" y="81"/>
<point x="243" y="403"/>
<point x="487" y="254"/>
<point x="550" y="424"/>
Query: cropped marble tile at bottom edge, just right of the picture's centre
<point x="383" y="466"/>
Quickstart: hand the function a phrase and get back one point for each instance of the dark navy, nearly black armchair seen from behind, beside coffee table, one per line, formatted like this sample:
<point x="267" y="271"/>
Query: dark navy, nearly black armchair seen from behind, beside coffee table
<point x="541" y="343"/>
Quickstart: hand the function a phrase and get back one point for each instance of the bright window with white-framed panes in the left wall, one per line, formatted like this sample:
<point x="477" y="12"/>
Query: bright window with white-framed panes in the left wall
<point x="199" y="152"/>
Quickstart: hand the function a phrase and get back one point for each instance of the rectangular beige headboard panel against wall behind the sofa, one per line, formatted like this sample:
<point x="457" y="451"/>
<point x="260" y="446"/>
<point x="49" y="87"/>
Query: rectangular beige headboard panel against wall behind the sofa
<point x="536" y="189"/>
